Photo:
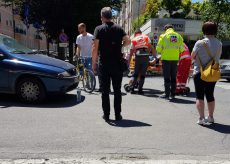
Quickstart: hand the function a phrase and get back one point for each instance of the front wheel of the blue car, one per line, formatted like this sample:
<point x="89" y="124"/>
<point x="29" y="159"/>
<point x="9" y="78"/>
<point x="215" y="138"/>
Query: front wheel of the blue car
<point x="30" y="91"/>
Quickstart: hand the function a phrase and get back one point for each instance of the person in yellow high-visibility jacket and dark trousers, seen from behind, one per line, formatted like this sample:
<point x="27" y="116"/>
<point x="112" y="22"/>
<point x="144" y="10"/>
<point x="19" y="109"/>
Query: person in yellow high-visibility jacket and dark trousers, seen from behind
<point x="170" y="45"/>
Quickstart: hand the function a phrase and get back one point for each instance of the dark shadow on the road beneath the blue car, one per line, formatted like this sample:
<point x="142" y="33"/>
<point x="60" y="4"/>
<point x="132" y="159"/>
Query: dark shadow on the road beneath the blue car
<point x="57" y="101"/>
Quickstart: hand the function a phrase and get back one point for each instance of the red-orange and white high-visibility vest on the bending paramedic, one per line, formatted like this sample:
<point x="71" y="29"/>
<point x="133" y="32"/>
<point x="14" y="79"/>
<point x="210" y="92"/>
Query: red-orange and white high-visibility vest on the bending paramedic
<point x="141" y="41"/>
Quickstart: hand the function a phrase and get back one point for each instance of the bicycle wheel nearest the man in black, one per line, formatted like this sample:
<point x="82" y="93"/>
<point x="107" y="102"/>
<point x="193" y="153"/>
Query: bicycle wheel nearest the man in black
<point x="89" y="81"/>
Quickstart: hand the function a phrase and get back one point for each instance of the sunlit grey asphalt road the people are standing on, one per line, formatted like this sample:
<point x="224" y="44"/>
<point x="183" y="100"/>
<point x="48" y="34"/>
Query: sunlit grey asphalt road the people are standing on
<point x="152" y="128"/>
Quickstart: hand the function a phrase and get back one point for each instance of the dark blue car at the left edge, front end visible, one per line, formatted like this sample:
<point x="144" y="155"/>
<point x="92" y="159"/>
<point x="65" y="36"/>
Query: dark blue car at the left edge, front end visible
<point x="32" y="76"/>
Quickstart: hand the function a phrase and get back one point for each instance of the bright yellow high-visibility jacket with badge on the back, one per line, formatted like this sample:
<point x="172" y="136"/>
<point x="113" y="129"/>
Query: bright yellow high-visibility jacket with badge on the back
<point x="170" y="45"/>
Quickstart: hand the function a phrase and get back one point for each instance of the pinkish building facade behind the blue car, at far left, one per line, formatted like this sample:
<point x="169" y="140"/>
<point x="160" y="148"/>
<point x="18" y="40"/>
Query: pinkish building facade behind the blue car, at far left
<point x="12" y="25"/>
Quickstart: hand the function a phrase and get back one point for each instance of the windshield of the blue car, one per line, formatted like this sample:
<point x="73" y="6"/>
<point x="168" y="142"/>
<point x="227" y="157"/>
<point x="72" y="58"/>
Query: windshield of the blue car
<point x="12" y="46"/>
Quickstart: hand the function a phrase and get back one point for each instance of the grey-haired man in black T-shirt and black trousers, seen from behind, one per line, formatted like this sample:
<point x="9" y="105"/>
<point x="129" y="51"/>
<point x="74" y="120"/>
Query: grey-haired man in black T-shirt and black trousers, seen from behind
<point x="109" y="39"/>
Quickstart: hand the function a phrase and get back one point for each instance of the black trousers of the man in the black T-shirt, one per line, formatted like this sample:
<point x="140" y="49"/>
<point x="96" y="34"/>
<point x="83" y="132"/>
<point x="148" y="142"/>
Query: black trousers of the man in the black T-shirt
<point x="107" y="76"/>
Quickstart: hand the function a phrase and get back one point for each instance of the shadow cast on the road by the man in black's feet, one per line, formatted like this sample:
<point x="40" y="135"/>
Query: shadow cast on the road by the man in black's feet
<point x="128" y="123"/>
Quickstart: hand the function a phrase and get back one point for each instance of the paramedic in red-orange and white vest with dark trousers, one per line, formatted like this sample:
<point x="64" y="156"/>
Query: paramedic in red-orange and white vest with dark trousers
<point x="141" y="47"/>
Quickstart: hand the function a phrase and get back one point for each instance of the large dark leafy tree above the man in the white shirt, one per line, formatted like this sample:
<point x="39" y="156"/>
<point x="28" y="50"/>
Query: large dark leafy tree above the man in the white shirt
<point x="55" y="15"/>
